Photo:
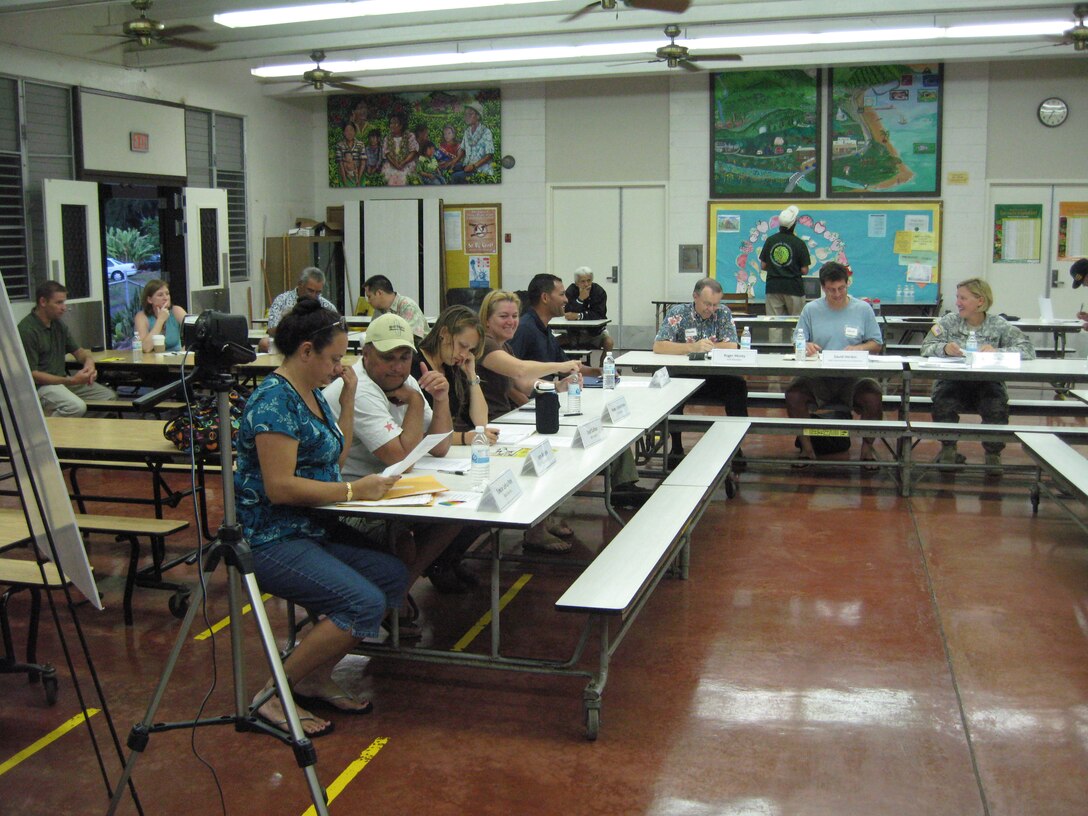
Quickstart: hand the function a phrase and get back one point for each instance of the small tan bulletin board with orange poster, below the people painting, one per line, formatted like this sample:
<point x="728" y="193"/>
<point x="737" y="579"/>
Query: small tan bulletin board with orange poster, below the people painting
<point x="473" y="246"/>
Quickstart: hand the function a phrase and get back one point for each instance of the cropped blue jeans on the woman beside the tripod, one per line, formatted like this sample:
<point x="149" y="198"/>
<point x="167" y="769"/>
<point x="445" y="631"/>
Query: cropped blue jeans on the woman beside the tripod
<point x="350" y="585"/>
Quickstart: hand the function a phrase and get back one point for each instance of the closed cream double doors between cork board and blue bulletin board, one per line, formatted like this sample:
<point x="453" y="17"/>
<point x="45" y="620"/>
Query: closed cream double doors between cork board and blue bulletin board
<point x="619" y="233"/>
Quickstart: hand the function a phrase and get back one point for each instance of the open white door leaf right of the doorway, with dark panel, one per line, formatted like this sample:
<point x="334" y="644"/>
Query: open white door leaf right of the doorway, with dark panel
<point x="207" y="250"/>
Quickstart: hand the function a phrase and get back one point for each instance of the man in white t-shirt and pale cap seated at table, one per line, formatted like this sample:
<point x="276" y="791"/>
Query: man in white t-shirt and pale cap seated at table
<point x="391" y="419"/>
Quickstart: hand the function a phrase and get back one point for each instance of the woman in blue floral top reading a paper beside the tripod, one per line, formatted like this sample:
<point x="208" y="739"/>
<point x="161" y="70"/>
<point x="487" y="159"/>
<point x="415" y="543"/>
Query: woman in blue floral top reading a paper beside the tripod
<point x="290" y="452"/>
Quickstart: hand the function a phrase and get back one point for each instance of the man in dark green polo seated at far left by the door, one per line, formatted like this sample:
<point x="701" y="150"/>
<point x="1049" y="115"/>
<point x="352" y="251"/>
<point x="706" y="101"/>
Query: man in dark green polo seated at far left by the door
<point x="46" y="341"/>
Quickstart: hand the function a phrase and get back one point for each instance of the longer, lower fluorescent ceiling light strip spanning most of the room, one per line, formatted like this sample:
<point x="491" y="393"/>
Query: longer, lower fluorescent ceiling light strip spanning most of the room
<point x="545" y="54"/>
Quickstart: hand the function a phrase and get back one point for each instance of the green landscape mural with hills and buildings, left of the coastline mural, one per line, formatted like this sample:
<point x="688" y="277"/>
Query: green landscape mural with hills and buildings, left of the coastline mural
<point x="765" y="133"/>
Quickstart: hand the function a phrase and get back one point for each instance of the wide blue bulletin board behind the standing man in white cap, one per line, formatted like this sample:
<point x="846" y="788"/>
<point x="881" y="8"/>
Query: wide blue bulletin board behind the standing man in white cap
<point x="886" y="244"/>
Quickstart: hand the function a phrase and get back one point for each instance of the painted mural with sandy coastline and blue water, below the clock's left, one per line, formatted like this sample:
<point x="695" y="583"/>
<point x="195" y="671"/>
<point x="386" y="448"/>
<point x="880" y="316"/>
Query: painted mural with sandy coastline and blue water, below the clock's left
<point x="885" y="131"/>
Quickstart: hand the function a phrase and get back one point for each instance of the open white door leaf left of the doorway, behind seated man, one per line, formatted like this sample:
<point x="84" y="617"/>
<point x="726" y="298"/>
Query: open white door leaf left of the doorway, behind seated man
<point x="75" y="254"/>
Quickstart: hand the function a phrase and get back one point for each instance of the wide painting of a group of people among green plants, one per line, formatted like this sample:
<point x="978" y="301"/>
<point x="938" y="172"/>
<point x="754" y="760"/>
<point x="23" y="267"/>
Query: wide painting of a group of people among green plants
<point x="397" y="140"/>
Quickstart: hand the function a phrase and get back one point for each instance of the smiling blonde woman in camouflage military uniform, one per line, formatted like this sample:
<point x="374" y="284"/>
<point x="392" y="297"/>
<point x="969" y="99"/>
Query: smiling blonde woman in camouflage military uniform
<point x="949" y="338"/>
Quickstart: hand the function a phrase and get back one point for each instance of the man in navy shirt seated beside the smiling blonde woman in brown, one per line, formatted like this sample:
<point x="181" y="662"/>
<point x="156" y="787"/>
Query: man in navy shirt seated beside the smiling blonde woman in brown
<point x="534" y="341"/>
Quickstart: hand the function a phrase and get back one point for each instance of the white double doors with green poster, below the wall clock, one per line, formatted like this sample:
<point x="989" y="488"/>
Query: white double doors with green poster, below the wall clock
<point x="1042" y="268"/>
